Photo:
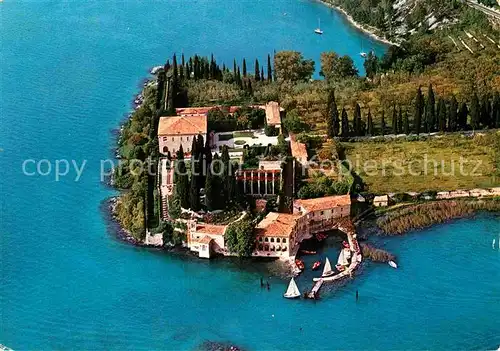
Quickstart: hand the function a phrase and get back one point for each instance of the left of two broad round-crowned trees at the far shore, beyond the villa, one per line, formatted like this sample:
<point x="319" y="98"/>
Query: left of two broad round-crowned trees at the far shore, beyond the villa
<point x="291" y="66"/>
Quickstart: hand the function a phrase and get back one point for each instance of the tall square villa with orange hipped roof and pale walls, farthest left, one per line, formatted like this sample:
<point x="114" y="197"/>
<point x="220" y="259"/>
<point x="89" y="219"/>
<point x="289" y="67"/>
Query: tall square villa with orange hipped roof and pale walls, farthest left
<point x="180" y="130"/>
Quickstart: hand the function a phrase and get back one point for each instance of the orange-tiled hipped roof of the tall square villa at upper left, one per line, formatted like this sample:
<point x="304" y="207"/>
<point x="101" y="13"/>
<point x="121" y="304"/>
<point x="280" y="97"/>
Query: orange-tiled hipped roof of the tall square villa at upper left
<point x="180" y="125"/>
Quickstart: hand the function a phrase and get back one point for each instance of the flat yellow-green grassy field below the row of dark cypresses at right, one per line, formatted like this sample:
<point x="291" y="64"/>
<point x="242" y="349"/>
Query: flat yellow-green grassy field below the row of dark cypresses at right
<point x="440" y="163"/>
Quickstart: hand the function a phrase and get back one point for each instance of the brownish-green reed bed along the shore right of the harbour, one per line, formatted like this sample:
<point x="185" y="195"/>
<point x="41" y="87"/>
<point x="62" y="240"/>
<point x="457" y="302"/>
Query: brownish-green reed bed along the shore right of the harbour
<point x="426" y="214"/>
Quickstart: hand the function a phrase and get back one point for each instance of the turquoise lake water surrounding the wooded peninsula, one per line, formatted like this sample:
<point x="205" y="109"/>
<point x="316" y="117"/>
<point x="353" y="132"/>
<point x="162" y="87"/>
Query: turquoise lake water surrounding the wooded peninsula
<point x="68" y="72"/>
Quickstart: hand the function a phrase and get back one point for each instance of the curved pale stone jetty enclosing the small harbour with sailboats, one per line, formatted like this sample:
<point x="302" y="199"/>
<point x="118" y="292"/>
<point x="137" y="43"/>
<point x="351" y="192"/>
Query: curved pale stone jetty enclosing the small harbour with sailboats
<point x="345" y="225"/>
